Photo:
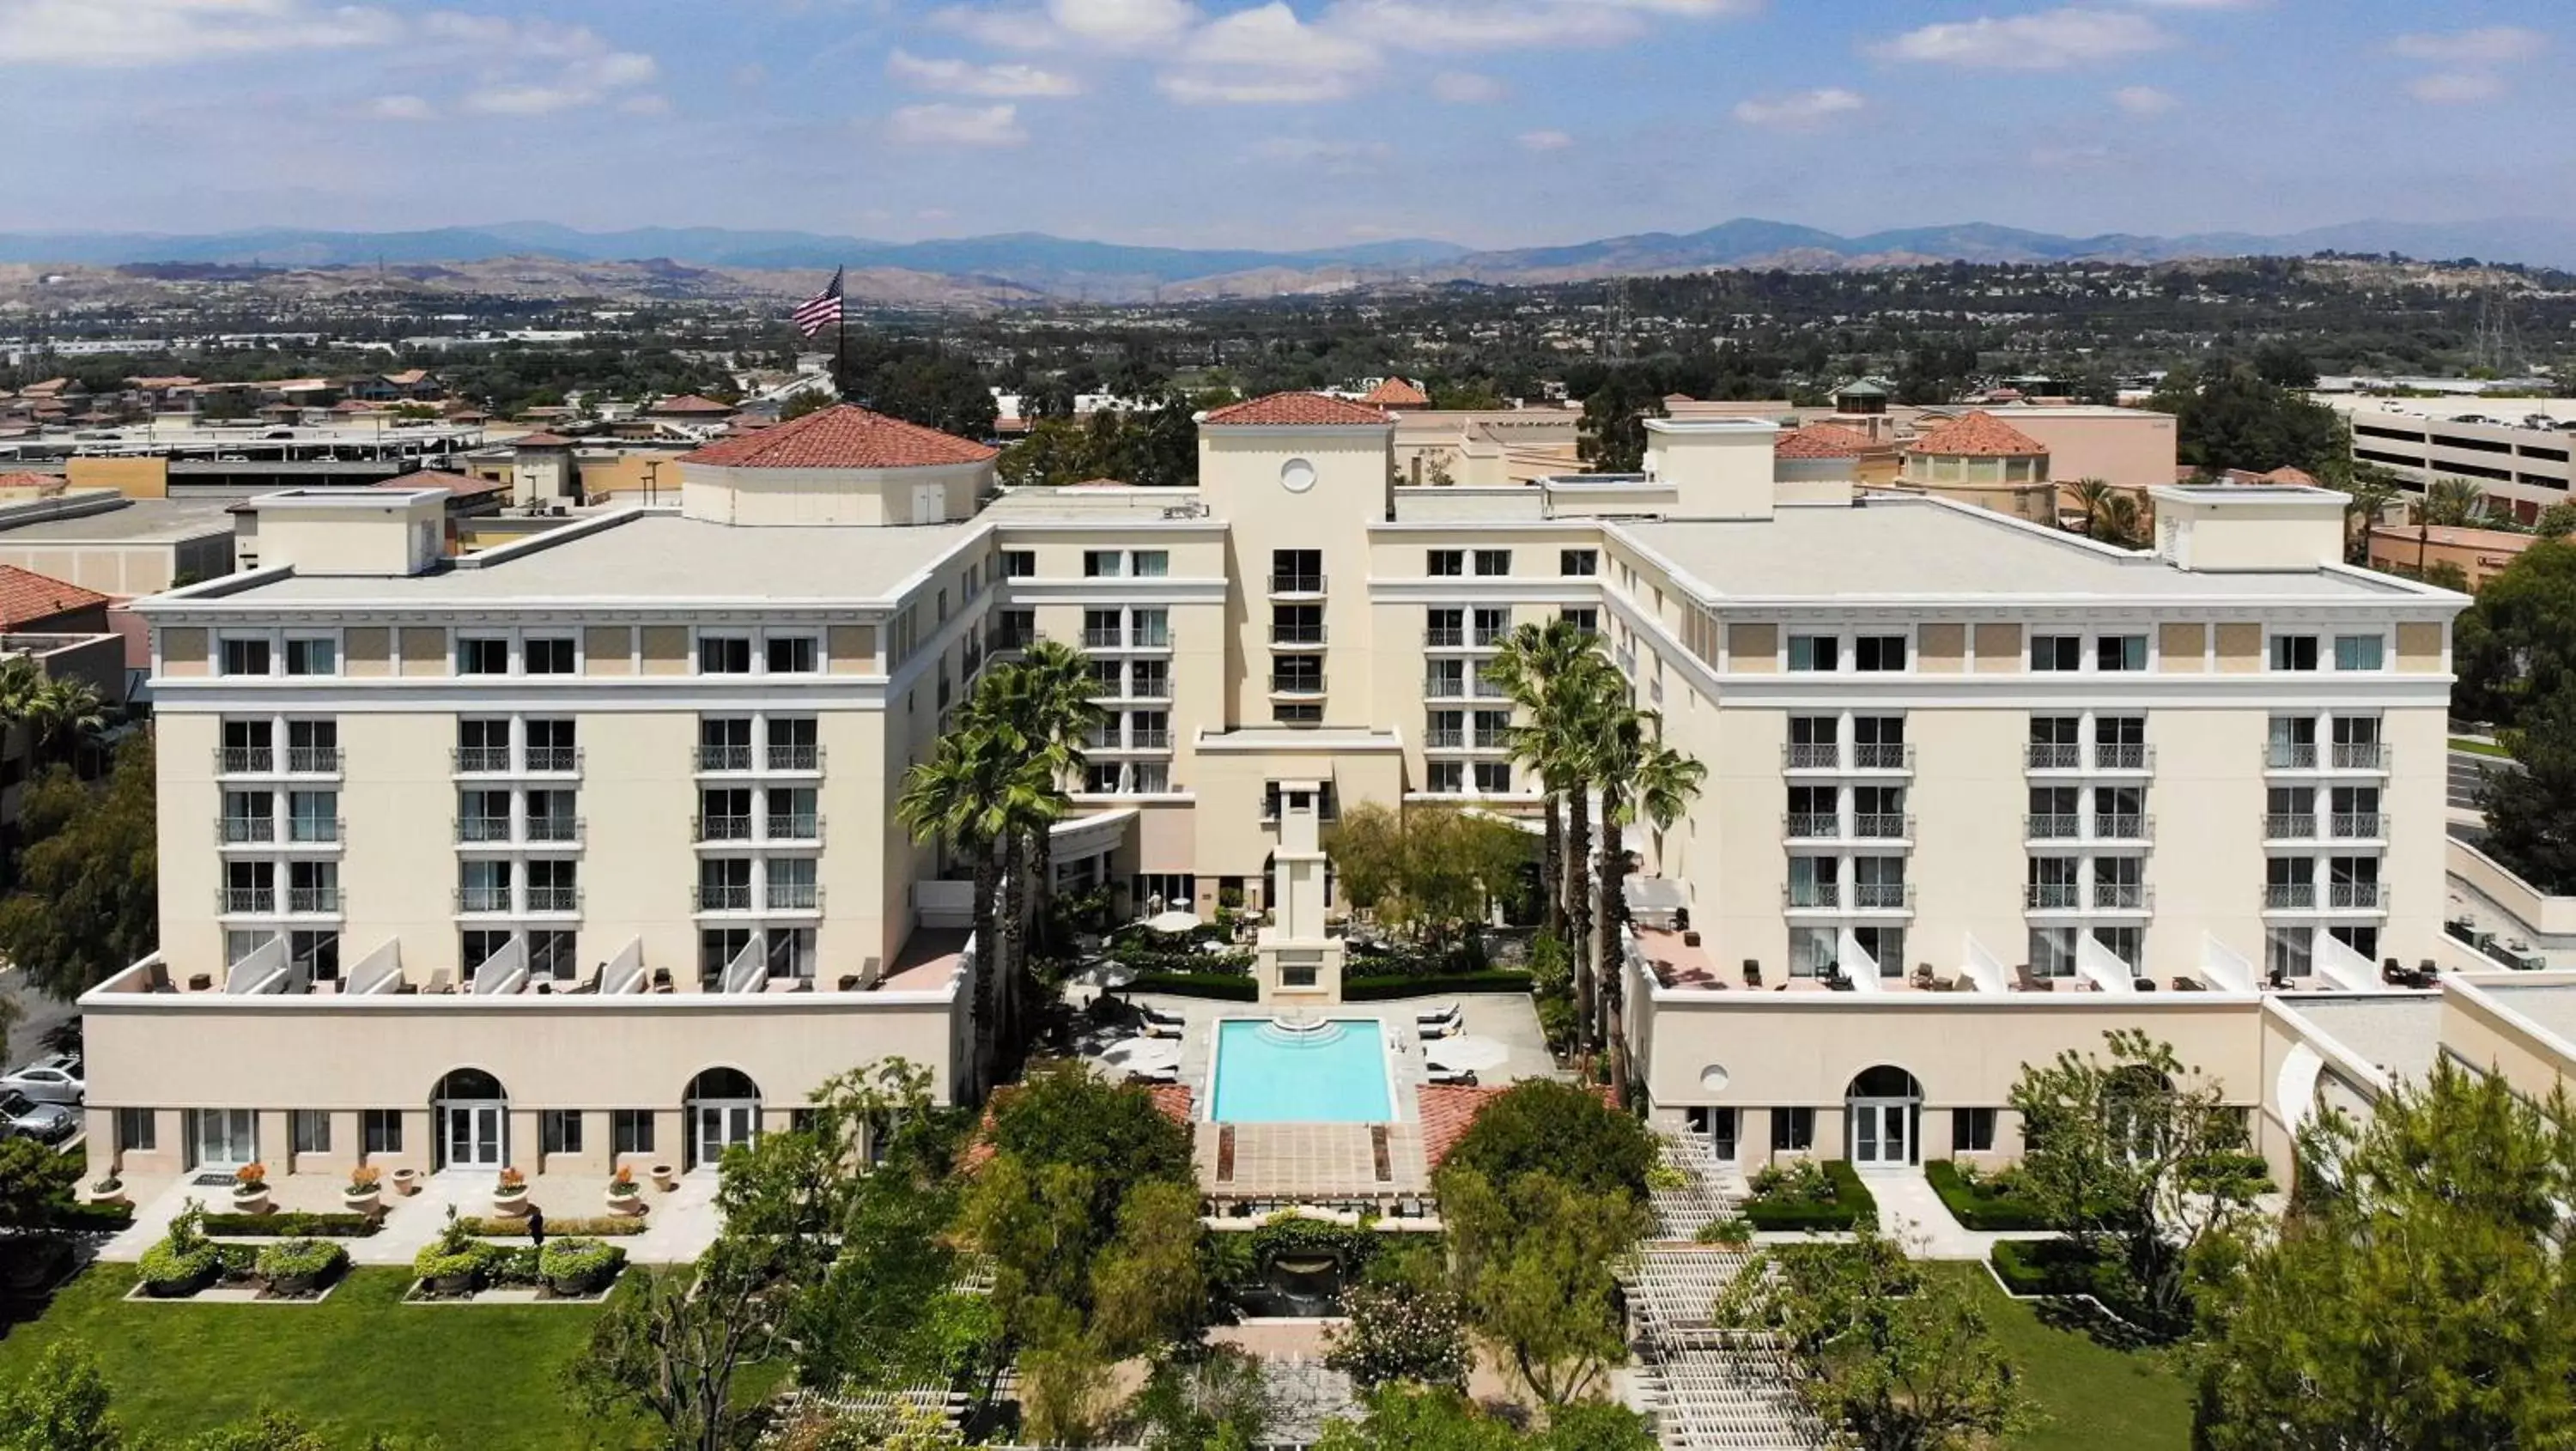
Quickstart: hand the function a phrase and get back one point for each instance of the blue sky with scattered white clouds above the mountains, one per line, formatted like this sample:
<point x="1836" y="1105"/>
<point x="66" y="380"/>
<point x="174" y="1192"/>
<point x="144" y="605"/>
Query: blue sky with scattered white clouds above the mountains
<point x="1292" y="122"/>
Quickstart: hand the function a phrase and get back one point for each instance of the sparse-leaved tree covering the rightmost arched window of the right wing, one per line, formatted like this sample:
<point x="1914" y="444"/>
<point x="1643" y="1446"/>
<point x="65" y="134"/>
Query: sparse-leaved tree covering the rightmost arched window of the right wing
<point x="2119" y="1151"/>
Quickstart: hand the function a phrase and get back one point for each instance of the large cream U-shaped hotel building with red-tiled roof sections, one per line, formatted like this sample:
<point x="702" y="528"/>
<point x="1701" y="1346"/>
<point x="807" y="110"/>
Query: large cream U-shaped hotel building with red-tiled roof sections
<point x="583" y="849"/>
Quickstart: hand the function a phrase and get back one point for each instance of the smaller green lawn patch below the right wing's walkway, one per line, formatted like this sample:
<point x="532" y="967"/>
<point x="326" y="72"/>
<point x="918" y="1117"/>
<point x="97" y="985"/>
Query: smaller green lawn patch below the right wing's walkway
<point x="2096" y="1398"/>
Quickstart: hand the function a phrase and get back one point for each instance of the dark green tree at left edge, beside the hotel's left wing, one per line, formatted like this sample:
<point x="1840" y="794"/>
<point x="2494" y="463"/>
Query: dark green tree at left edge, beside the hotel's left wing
<point x="89" y="901"/>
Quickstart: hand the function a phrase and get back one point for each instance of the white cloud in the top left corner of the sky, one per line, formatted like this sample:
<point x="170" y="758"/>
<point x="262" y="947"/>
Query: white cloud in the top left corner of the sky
<point x="171" y="32"/>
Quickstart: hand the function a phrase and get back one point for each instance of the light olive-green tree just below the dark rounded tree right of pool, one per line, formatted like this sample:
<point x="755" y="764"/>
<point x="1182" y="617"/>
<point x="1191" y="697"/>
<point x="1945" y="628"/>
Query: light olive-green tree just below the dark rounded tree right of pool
<point x="1539" y="1267"/>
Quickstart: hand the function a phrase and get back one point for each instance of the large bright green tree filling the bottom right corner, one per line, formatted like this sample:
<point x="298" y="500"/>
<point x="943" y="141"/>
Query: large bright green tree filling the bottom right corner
<point x="2420" y="1298"/>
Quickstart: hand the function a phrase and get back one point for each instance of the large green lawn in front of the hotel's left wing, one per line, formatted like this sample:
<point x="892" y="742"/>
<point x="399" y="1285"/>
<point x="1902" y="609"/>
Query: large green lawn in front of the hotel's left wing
<point x="349" y="1367"/>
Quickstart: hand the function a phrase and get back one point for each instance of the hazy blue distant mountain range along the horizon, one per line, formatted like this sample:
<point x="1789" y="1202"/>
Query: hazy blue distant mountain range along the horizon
<point x="1112" y="272"/>
